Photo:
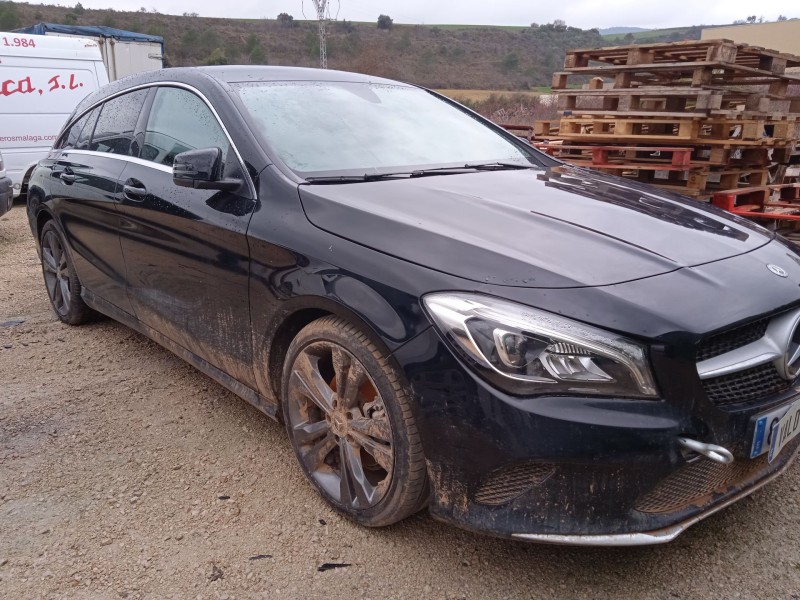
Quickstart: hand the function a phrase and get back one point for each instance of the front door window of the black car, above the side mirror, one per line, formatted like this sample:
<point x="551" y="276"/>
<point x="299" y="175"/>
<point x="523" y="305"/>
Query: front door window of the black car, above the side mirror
<point x="180" y="121"/>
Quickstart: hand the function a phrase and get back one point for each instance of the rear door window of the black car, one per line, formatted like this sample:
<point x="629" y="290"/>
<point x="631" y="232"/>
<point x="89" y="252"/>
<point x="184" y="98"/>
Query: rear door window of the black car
<point x="116" y="125"/>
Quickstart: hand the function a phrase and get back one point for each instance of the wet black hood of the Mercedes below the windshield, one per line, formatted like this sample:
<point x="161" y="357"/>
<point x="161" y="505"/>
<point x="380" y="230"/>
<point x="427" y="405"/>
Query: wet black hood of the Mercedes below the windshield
<point x="551" y="228"/>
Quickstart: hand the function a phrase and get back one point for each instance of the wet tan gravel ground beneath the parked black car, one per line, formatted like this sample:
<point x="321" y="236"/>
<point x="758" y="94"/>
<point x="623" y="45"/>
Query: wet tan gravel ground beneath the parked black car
<point x="125" y="473"/>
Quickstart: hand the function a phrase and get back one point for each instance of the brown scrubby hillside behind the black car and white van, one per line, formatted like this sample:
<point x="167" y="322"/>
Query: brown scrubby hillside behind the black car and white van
<point x="495" y="58"/>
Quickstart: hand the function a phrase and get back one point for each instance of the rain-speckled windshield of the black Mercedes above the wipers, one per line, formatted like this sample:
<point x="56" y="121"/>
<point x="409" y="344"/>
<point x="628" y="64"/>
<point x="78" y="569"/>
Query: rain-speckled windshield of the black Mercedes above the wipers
<point x="333" y="128"/>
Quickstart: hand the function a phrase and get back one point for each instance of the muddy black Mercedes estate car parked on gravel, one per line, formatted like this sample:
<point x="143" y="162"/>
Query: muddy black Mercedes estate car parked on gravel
<point x="441" y="315"/>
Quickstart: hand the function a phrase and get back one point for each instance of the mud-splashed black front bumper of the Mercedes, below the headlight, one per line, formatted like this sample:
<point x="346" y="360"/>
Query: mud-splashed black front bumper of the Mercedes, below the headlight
<point x="588" y="471"/>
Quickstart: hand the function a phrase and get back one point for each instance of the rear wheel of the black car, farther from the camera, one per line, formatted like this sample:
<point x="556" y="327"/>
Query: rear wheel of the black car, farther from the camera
<point x="60" y="279"/>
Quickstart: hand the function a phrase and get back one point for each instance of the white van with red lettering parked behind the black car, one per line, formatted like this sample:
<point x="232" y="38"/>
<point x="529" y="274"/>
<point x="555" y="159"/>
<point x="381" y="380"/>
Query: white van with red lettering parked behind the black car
<point x="42" y="79"/>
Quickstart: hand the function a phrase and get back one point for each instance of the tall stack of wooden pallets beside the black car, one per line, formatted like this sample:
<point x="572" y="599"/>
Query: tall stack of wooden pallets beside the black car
<point x="699" y="117"/>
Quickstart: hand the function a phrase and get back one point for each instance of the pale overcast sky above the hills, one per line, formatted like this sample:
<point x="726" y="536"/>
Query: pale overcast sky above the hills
<point x="579" y="13"/>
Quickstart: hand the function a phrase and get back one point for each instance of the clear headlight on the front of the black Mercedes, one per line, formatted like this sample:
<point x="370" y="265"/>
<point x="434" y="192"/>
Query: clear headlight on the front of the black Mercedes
<point x="526" y="351"/>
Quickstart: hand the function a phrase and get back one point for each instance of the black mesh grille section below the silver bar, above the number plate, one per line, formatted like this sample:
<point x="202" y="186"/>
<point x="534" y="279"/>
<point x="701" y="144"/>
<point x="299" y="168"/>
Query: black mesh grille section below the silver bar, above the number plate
<point x="744" y="386"/>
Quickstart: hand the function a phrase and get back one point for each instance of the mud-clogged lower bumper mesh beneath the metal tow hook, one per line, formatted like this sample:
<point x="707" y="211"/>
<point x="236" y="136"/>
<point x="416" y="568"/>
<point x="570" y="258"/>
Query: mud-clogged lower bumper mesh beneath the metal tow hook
<point x="697" y="483"/>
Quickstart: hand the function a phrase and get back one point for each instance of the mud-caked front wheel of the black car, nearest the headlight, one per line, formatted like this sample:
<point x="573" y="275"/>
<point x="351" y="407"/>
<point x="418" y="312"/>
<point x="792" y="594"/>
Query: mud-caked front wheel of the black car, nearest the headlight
<point x="351" y="426"/>
